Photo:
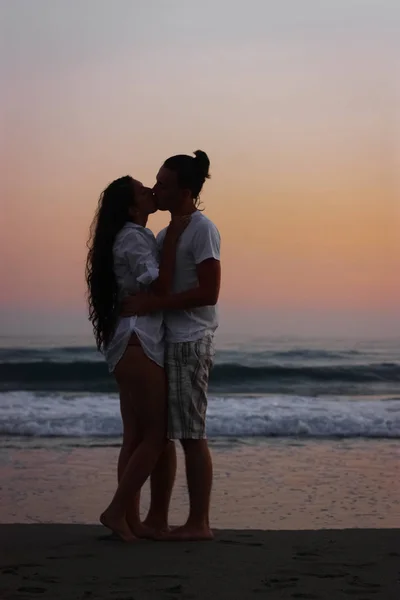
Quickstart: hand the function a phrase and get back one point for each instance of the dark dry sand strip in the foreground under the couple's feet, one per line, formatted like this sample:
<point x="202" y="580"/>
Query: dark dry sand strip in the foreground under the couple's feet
<point x="71" y="562"/>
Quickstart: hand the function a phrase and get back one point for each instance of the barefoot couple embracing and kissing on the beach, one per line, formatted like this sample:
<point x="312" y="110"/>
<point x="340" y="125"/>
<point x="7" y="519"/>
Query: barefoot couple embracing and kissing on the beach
<point x="152" y="304"/>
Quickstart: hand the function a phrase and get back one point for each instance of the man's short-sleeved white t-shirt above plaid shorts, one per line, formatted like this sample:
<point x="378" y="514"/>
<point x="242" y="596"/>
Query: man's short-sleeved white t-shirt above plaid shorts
<point x="199" y="241"/>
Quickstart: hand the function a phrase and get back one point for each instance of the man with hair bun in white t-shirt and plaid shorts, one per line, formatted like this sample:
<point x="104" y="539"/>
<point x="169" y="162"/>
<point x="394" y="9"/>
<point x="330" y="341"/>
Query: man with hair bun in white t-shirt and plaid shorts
<point x="190" y="322"/>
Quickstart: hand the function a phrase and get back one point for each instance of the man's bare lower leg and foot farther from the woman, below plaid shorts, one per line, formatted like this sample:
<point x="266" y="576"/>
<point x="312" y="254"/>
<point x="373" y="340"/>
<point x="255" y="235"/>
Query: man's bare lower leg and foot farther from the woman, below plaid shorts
<point x="199" y="474"/>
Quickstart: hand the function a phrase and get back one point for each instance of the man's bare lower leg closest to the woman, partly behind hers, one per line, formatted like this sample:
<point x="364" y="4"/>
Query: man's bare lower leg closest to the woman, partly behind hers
<point x="161" y="484"/>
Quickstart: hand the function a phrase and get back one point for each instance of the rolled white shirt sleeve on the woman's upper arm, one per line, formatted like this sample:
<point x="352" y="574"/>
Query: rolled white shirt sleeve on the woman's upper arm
<point x="141" y="257"/>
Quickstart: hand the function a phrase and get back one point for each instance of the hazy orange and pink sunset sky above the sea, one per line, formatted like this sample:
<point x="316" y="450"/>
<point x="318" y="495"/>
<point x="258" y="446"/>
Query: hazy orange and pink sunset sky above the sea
<point x="296" y="104"/>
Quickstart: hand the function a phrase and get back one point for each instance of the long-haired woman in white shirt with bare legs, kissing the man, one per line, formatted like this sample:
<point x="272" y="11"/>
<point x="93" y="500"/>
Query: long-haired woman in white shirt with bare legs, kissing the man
<point x="123" y="260"/>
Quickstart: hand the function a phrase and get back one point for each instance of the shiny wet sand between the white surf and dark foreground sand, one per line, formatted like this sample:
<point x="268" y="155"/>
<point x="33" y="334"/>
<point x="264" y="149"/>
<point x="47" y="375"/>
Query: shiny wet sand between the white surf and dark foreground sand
<point x="290" y="484"/>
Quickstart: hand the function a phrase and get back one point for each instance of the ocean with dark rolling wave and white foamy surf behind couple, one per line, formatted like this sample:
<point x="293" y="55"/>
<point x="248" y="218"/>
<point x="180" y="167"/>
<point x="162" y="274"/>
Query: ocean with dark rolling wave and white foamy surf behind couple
<point x="60" y="389"/>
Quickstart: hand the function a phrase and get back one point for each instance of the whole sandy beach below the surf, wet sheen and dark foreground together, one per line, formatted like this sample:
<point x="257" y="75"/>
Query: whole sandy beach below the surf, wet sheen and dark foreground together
<point x="292" y="520"/>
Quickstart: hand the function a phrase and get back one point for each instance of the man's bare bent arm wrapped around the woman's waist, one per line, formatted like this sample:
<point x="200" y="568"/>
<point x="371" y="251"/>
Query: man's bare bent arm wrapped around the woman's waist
<point x="204" y="294"/>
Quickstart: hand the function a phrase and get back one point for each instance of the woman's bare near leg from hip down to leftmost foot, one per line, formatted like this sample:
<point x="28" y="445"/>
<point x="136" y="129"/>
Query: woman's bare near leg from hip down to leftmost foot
<point x="143" y="386"/>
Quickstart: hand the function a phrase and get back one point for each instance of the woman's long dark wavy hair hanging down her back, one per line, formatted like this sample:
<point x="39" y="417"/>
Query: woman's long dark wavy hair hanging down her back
<point x="111" y="215"/>
